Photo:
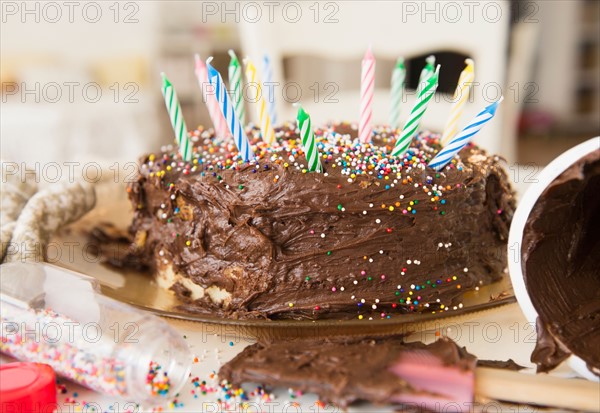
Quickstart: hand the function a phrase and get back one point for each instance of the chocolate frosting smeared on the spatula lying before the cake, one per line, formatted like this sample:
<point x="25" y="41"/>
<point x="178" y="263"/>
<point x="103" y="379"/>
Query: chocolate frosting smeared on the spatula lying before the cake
<point x="341" y="370"/>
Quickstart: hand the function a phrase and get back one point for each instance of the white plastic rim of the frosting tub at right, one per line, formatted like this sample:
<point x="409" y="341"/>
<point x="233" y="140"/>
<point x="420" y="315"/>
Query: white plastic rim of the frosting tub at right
<point x="515" y="238"/>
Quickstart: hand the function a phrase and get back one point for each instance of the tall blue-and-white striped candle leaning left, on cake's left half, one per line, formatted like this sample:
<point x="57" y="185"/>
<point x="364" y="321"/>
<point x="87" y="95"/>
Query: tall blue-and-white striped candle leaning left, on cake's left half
<point x="233" y="122"/>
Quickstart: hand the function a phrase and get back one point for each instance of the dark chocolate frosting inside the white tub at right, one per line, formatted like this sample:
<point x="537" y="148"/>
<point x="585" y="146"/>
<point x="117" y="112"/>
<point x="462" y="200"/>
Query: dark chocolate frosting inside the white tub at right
<point x="561" y="266"/>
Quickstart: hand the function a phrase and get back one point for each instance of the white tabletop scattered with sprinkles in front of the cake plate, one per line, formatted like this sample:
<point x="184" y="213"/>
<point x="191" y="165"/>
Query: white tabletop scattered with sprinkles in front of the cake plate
<point x="496" y="334"/>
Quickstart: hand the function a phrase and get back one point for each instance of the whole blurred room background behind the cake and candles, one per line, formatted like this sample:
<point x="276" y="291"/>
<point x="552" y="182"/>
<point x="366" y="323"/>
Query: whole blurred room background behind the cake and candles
<point x="80" y="80"/>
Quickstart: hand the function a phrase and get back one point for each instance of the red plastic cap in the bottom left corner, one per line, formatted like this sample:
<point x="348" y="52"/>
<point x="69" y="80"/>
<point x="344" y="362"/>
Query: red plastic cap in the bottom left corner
<point x="27" y="388"/>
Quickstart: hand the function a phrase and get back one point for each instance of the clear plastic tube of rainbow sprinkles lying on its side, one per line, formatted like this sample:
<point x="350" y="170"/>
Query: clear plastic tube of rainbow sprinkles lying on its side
<point x="59" y="317"/>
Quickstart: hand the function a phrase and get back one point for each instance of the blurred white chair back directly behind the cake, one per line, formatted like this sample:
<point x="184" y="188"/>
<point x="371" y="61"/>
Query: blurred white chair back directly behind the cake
<point x="393" y="29"/>
